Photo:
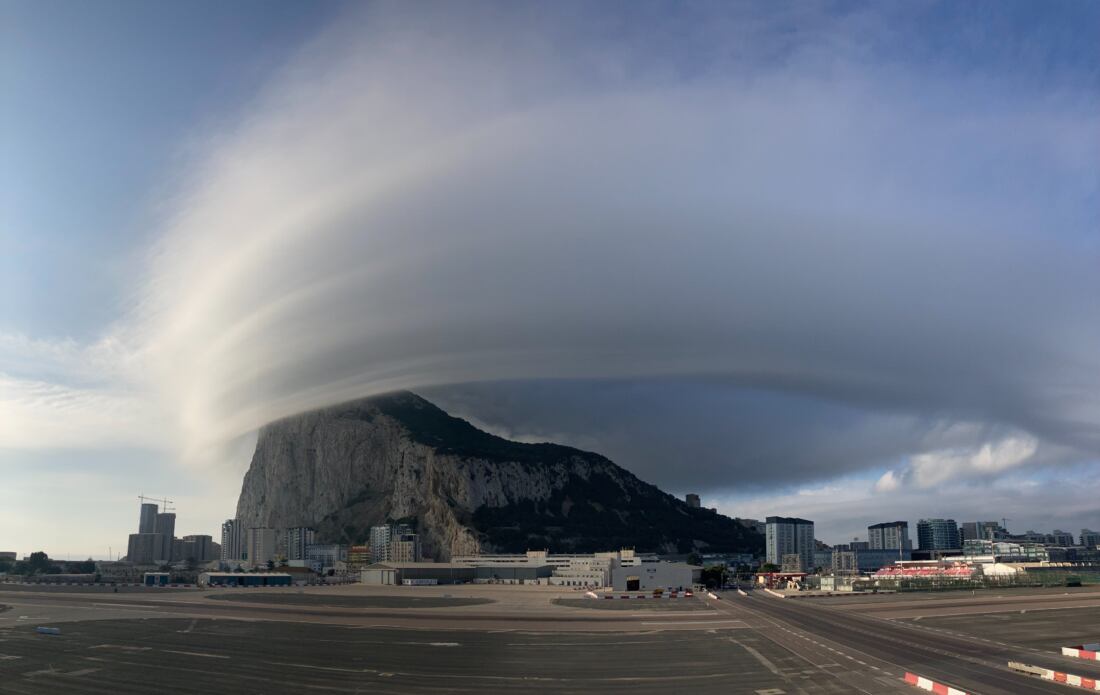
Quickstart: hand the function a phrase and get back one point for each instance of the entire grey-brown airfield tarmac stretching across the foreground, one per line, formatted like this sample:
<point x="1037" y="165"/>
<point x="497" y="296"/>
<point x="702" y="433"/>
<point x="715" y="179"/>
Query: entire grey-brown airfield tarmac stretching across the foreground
<point x="460" y="639"/>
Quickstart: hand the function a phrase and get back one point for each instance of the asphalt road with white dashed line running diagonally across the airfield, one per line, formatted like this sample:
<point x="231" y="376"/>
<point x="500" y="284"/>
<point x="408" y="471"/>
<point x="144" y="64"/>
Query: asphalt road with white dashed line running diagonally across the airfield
<point x="967" y="663"/>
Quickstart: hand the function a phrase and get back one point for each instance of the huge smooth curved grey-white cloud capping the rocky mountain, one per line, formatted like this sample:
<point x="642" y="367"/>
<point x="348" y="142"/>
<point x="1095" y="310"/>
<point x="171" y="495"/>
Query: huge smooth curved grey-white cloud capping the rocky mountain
<point x="421" y="202"/>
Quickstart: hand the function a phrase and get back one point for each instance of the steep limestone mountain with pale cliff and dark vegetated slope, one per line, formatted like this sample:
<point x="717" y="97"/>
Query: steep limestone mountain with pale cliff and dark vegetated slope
<point x="344" y="469"/>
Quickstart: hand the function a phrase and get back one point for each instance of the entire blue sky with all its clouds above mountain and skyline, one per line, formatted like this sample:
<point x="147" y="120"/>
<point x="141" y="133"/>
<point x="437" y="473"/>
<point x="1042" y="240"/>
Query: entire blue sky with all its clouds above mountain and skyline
<point x="866" y="233"/>
